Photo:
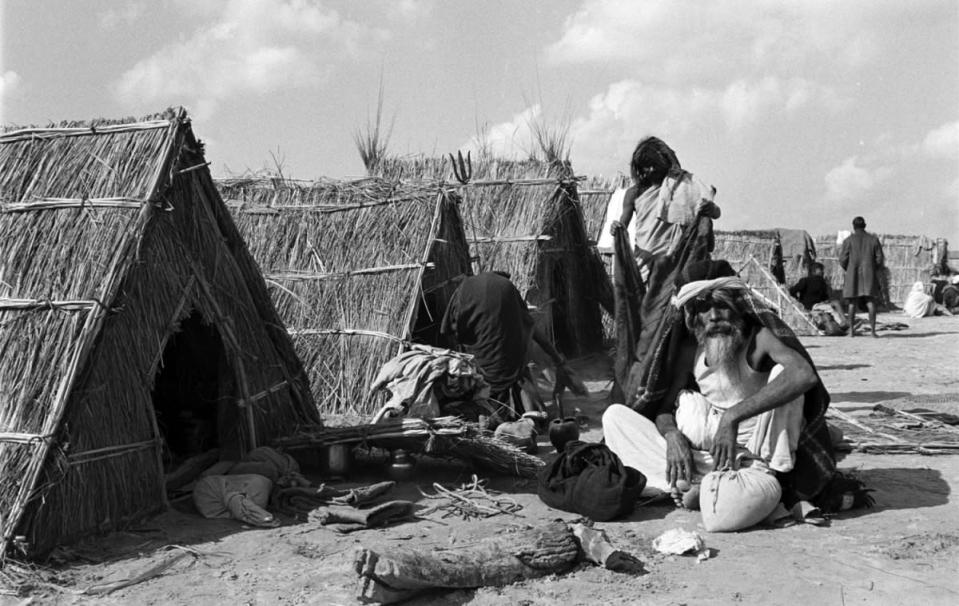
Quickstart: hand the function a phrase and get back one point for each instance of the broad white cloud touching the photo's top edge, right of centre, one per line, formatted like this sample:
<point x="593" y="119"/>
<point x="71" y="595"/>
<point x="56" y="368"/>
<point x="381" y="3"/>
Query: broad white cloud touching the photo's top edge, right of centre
<point x="684" y="40"/>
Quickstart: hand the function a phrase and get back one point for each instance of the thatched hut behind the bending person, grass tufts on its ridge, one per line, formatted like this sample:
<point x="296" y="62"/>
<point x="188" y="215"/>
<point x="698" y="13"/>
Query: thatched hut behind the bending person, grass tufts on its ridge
<point x="525" y="218"/>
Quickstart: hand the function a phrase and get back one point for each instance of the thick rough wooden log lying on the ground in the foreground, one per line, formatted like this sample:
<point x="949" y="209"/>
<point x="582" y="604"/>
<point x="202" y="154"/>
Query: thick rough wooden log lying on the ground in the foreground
<point x="401" y="573"/>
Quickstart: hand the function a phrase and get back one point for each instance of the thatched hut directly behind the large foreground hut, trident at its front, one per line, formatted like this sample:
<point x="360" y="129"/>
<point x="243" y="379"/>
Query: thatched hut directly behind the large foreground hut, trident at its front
<point x="357" y="270"/>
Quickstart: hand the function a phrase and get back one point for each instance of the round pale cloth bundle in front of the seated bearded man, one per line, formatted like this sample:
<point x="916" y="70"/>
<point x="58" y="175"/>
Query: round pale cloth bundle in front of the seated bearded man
<point x="732" y="500"/>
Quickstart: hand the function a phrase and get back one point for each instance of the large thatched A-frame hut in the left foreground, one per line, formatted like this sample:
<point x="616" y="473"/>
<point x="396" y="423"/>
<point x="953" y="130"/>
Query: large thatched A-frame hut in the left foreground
<point x="133" y="324"/>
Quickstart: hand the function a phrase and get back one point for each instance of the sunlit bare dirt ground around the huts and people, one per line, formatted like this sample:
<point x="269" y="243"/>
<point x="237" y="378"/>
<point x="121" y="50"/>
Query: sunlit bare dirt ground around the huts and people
<point x="904" y="550"/>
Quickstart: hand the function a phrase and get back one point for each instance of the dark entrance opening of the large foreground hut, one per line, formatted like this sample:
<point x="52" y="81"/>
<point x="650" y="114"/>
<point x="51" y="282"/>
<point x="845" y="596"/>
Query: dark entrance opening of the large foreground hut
<point x="192" y="391"/>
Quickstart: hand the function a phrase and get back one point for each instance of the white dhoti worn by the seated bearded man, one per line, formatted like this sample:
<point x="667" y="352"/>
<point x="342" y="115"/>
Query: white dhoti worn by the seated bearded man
<point x="771" y="436"/>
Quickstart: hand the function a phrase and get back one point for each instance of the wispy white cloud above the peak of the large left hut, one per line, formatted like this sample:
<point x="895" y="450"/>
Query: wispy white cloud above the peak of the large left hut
<point x="248" y="47"/>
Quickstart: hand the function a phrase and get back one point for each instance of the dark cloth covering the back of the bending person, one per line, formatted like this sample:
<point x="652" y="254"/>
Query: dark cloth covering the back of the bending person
<point x="488" y="316"/>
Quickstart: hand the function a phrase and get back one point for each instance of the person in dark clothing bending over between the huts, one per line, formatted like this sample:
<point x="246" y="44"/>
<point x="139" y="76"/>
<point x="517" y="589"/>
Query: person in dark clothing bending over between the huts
<point x="488" y="316"/>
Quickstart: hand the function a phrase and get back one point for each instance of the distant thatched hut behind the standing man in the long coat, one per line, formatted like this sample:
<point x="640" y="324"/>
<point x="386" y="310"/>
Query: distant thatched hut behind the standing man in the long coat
<point x="909" y="259"/>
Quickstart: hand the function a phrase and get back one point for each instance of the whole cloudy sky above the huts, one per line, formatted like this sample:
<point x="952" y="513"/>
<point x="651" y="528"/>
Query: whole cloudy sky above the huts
<point x="803" y="114"/>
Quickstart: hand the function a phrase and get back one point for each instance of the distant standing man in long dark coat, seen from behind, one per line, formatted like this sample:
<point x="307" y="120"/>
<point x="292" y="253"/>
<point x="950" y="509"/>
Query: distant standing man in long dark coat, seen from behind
<point x="861" y="257"/>
